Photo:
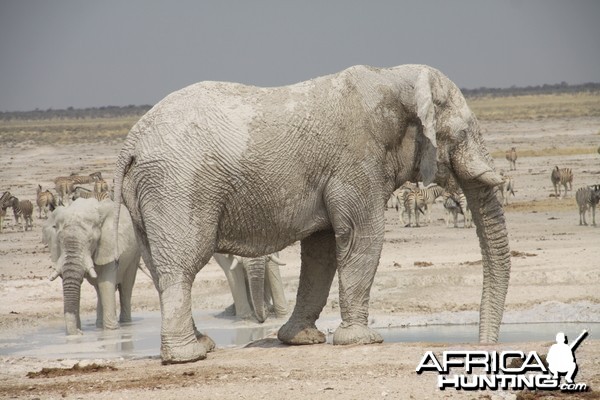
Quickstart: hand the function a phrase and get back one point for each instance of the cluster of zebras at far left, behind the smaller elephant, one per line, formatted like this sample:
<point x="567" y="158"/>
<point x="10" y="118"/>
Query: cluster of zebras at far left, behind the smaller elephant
<point x="66" y="191"/>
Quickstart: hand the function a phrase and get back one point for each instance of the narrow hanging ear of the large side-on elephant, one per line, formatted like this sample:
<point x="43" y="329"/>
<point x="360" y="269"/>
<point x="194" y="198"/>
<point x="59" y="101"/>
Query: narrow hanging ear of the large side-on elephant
<point x="426" y="114"/>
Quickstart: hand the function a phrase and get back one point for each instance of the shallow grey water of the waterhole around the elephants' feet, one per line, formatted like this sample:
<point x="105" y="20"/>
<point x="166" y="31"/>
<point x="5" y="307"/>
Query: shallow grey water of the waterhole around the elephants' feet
<point x="141" y="338"/>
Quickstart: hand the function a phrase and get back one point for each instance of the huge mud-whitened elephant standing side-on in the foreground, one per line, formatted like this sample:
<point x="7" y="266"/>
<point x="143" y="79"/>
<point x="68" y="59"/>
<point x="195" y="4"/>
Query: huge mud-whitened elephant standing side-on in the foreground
<point x="224" y="167"/>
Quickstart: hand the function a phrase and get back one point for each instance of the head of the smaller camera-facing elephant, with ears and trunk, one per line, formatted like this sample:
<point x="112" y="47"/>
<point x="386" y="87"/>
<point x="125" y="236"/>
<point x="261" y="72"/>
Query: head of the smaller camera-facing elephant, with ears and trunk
<point x="79" y="237"/>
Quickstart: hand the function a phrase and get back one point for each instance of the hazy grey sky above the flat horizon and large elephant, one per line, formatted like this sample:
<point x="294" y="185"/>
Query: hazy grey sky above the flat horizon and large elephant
<point x="61" y="53"/>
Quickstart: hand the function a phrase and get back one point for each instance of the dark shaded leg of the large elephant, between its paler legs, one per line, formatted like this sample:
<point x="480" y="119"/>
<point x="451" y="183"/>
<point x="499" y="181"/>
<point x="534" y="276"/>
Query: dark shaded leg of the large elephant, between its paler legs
<point x="316" y="274"/>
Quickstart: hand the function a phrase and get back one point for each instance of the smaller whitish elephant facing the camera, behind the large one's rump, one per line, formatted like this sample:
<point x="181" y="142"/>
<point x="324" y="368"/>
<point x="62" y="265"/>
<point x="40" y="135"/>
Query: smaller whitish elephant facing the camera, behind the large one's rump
<point x="82" y="244"/>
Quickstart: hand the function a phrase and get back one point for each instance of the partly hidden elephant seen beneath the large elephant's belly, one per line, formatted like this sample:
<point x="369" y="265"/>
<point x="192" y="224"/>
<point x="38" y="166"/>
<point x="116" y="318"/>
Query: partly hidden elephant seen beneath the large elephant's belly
<point x="255" y="285"/>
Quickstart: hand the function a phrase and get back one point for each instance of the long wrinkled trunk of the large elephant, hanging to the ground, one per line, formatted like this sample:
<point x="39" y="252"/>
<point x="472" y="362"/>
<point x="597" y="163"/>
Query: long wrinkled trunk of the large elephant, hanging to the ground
<point x="488" y="216"/>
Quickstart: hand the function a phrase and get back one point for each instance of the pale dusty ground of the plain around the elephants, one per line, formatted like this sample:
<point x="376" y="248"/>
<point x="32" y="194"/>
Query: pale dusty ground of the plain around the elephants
<point x="555" y="277"/>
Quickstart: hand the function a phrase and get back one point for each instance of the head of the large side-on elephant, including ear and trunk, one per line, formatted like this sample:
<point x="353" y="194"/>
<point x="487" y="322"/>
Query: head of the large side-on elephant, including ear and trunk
<point x="453" y="154"/>
